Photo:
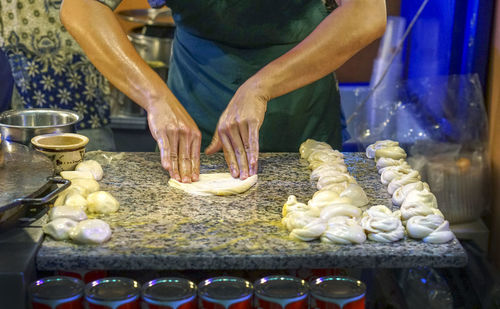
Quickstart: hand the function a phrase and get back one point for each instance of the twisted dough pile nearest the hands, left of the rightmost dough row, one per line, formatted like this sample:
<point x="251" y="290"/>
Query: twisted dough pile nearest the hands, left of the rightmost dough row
<point x="333" y="214"/>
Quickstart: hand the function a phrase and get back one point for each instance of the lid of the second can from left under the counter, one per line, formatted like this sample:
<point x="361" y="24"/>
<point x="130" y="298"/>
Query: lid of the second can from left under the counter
<point x="112" y="288"/>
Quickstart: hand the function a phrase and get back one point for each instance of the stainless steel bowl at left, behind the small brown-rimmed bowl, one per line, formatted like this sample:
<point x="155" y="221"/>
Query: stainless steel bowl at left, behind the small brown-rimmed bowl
<point x="22" y="125"/>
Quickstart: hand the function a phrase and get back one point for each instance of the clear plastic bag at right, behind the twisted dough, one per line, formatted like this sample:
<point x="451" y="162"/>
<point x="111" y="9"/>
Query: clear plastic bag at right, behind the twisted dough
<point x="442" y="123"/>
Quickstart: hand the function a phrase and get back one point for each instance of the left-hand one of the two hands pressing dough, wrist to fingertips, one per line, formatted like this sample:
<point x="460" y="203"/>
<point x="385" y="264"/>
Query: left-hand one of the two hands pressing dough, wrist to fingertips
<point x="178" y="138"/>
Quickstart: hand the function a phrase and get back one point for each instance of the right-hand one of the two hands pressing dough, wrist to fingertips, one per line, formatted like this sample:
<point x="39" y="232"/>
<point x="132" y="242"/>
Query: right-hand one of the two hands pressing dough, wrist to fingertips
<point x="237" y="131"/>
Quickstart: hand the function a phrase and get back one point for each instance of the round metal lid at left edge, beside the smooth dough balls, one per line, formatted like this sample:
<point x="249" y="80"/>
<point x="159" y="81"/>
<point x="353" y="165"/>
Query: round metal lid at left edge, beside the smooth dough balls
<point x="23" y="172"/>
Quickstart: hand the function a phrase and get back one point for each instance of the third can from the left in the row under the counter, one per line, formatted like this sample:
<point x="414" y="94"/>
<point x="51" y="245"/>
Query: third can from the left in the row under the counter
<point x="169" y="293"/>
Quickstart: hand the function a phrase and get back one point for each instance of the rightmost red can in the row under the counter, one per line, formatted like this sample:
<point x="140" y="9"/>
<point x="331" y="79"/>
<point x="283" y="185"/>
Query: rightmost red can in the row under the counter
<point x="334" y="292"/>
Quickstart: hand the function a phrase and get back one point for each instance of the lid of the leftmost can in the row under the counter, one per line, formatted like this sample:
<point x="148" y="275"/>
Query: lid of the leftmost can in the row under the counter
<point x="56" y="287"/>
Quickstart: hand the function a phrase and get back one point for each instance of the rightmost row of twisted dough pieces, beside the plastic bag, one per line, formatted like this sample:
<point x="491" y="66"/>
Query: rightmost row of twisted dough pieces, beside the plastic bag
<point x="418" y="206"/>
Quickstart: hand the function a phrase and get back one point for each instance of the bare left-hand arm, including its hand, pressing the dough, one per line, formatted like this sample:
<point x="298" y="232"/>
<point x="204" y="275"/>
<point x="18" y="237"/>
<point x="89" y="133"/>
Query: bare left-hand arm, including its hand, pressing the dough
<point x="96" y="29"/>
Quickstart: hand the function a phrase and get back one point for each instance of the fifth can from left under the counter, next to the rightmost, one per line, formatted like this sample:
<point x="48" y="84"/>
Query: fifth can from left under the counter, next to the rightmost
<point x="281" y="292"/>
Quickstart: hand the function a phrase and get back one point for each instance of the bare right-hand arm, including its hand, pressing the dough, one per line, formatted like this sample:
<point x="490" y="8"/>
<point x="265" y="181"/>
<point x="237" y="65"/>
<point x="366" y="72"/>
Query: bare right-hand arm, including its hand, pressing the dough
<point x="348" y="29"/>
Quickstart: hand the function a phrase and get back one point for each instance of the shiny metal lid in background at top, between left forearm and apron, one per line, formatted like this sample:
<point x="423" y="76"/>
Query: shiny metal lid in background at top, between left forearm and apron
<point x="157" y="17"/>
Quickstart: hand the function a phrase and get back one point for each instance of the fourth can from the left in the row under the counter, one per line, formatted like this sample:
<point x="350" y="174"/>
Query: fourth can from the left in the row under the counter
<point x="225" y="293"/>
